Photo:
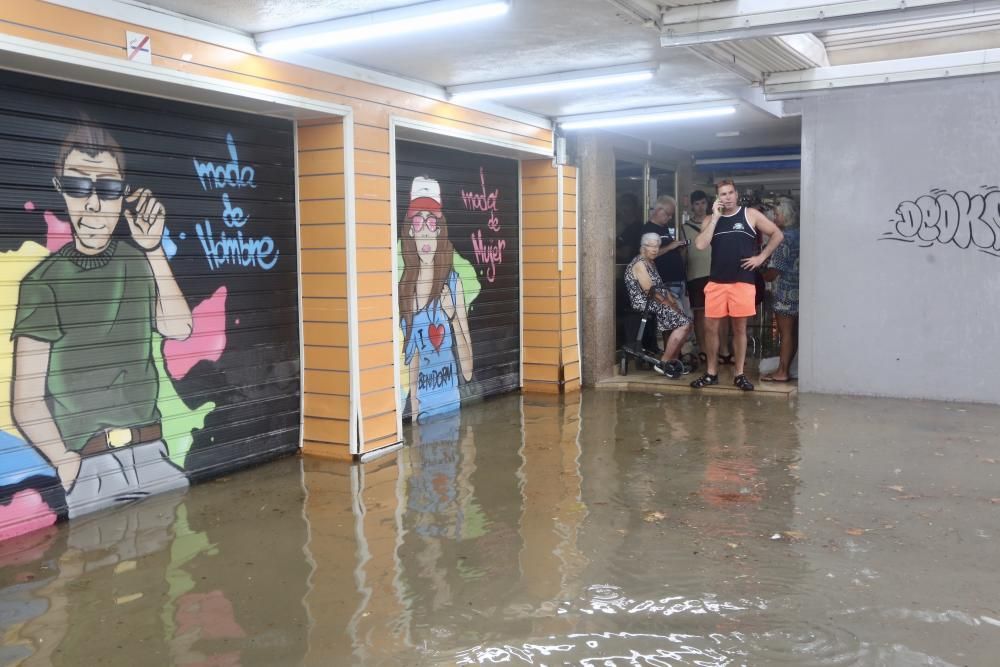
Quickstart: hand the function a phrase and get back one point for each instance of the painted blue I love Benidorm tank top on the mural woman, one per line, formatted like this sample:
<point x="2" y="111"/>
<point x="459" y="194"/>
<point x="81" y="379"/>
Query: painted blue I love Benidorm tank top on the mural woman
<point x="433" y="341"/>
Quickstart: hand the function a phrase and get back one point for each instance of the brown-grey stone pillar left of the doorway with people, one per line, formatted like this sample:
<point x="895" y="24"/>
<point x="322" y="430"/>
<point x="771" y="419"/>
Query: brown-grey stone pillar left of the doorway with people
<point x="597" y="257"/>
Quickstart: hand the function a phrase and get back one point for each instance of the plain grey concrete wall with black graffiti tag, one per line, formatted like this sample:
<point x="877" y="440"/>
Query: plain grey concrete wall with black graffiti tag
<point x="900" y="263"/>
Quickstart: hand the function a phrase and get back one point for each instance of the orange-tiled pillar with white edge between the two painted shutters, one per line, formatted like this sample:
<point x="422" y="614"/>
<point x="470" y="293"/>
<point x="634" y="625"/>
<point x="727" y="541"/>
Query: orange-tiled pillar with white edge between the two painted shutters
<point x="348" y="252"/>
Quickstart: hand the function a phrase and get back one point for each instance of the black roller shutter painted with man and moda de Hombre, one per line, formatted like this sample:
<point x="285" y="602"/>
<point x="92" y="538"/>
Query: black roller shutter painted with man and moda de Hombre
<point x="148" y="266"/>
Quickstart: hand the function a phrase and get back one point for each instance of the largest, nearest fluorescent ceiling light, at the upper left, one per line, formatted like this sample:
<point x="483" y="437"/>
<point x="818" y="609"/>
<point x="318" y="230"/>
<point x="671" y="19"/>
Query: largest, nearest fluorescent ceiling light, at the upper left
<point x="424" y="16"/>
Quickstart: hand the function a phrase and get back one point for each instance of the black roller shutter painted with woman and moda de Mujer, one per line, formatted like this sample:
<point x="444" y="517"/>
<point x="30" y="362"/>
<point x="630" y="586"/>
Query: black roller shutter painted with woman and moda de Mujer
<point x="460" y="318"/>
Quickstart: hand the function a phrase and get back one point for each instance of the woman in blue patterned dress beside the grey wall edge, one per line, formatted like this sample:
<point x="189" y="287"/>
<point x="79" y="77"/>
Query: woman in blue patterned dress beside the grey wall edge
<point x="784" y="271"/>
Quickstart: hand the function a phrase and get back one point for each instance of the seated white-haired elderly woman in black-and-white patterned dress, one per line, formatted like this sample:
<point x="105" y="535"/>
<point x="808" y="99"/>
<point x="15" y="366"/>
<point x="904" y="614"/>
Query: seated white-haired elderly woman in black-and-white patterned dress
<point x="641" y="276"/>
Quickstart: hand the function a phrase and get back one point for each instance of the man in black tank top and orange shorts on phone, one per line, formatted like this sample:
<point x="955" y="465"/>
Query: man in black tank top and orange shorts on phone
<point x="731" y="232"/>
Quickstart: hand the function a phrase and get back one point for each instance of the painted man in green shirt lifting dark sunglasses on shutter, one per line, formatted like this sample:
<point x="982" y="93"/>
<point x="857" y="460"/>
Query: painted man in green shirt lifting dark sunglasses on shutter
<point x="85" y="384"/>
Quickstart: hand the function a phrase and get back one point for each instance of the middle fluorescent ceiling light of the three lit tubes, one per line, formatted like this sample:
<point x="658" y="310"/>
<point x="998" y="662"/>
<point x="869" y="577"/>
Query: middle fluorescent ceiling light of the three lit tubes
<point x="550" y="83"/>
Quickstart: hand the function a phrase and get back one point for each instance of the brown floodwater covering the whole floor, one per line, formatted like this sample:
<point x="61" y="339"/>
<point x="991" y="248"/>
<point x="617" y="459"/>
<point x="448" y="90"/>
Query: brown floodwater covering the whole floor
<point x="610" y="528"/>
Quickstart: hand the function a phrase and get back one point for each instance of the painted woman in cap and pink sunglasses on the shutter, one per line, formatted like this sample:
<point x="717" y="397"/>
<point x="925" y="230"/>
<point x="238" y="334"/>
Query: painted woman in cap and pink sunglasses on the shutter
<point x="432" y="309"/>
